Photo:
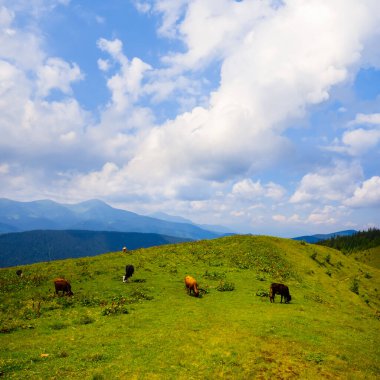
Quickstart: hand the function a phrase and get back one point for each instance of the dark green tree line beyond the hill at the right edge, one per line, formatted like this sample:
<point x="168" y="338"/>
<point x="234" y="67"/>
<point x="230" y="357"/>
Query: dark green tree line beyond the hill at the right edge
<point x="360" y="241"/>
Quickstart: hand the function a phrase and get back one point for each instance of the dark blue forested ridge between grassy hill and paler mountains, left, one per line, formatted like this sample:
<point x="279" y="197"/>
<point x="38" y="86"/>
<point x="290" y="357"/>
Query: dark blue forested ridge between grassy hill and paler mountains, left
<point x="30" y="247"/>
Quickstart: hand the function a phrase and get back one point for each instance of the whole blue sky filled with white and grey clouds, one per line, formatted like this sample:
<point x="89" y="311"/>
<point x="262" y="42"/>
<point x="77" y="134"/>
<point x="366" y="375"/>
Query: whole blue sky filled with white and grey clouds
<point x="259" y="115"/>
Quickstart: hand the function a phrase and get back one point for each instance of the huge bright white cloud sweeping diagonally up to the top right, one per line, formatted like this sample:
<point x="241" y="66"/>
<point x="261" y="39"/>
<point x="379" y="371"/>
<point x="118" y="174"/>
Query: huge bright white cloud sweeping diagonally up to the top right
<point x="272" y="72"/>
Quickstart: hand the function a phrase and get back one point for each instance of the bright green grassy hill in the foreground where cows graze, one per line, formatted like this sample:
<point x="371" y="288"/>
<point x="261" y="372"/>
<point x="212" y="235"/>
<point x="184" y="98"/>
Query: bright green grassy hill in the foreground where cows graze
<point x="150" y="328"/>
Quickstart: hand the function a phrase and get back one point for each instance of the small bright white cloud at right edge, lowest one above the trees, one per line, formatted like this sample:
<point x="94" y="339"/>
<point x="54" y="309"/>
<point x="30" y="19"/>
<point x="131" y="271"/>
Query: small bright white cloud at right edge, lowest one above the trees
<point x="367" y="195"/>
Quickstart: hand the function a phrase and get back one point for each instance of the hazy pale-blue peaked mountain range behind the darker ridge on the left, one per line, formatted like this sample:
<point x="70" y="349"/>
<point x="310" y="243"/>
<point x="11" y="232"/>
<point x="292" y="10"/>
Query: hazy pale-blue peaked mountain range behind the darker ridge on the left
<point x="93" y="215"/>
